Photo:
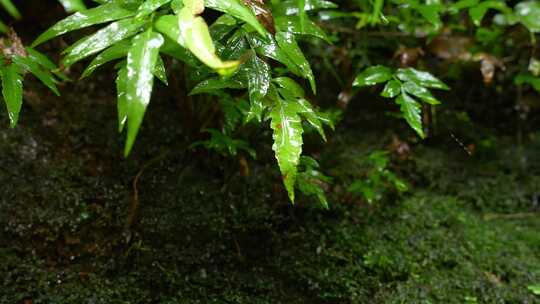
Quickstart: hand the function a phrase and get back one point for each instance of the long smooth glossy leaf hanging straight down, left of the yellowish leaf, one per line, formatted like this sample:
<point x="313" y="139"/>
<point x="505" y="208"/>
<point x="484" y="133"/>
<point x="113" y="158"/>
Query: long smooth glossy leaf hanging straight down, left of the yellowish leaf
<point x="141" y="61"/>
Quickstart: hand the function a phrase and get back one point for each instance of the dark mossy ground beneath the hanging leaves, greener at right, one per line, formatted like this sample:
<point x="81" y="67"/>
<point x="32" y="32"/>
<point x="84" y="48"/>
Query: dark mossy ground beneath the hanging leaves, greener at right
<point x="466" y="233"/>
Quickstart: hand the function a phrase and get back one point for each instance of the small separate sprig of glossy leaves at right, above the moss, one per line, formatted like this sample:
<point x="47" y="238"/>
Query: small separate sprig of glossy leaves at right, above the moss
<point x="401" y="85"/>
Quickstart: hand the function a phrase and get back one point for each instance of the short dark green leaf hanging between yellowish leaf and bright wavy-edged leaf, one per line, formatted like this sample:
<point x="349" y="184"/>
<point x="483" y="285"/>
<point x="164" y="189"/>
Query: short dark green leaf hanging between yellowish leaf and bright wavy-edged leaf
<point x="259" y="77"/>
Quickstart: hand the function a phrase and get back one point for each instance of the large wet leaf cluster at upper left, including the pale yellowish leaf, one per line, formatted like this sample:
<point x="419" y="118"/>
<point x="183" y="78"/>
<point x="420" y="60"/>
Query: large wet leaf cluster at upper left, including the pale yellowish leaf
<point x="237" y="46"/>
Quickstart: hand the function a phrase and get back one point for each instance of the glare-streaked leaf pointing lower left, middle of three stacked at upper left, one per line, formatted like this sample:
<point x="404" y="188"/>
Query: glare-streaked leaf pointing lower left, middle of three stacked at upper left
<point x="102" y="39"/>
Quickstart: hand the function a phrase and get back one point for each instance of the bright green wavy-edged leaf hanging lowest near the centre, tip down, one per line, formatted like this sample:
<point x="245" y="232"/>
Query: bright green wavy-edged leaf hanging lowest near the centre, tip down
<point x="287" y="134"/>
